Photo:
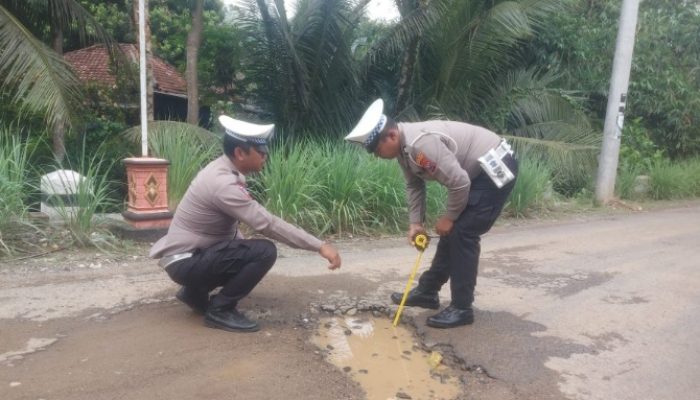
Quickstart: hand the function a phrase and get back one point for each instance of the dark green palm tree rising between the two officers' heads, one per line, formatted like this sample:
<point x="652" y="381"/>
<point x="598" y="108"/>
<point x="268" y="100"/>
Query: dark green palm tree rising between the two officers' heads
<point x="304" y="66"/>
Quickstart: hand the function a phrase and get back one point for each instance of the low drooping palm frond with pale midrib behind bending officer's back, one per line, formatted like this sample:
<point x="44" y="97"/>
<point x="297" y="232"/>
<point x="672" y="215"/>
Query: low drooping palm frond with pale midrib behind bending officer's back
<point x="543" y="124"/>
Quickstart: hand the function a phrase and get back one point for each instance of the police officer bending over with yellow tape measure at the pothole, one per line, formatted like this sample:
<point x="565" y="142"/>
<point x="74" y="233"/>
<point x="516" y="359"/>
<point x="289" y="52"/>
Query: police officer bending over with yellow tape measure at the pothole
<point x="478" y="169"/>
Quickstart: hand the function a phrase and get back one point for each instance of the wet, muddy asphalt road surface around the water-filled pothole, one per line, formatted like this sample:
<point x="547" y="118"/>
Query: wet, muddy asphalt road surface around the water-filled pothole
<point x="591" y="307"/>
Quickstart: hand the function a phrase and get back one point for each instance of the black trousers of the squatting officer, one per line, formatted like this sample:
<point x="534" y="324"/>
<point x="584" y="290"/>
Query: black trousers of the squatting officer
<point x="236" y="266"/>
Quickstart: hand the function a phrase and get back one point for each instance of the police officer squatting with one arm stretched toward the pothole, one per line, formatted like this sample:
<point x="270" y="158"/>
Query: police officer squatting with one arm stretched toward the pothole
<point x="204" y="248"/>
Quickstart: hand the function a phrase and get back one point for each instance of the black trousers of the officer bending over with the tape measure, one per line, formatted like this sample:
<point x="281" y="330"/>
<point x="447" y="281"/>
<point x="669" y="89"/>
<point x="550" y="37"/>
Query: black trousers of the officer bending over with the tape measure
<point x="457" y="256"/>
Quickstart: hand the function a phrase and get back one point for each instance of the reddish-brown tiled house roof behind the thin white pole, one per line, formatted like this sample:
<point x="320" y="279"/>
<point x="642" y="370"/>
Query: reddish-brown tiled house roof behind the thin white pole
<point x="92" y="64"/>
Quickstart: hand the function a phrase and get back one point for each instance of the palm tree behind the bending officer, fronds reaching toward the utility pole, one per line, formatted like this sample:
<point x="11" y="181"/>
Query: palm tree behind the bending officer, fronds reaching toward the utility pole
<point x="469" y="67"/>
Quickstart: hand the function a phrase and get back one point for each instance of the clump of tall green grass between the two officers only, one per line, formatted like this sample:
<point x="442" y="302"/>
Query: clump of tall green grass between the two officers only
<point x="333" y="188"/>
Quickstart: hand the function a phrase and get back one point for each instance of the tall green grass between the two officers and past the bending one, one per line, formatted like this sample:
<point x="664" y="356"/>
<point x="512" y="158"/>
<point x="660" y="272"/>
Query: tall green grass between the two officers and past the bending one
<point x="331" y="188"/>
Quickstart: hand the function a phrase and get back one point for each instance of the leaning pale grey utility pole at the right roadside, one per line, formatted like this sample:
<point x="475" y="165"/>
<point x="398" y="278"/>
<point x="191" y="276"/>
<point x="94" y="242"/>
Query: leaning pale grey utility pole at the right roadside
<point x="617" y="96"/>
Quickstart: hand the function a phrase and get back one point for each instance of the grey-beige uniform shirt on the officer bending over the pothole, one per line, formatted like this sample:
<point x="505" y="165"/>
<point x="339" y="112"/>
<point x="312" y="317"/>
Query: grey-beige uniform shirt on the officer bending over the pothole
<point x="444" y="151"/>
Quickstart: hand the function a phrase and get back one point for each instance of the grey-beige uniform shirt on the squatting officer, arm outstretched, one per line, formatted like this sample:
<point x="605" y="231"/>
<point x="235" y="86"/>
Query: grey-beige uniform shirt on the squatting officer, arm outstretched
<point x="212" y="208"/>
